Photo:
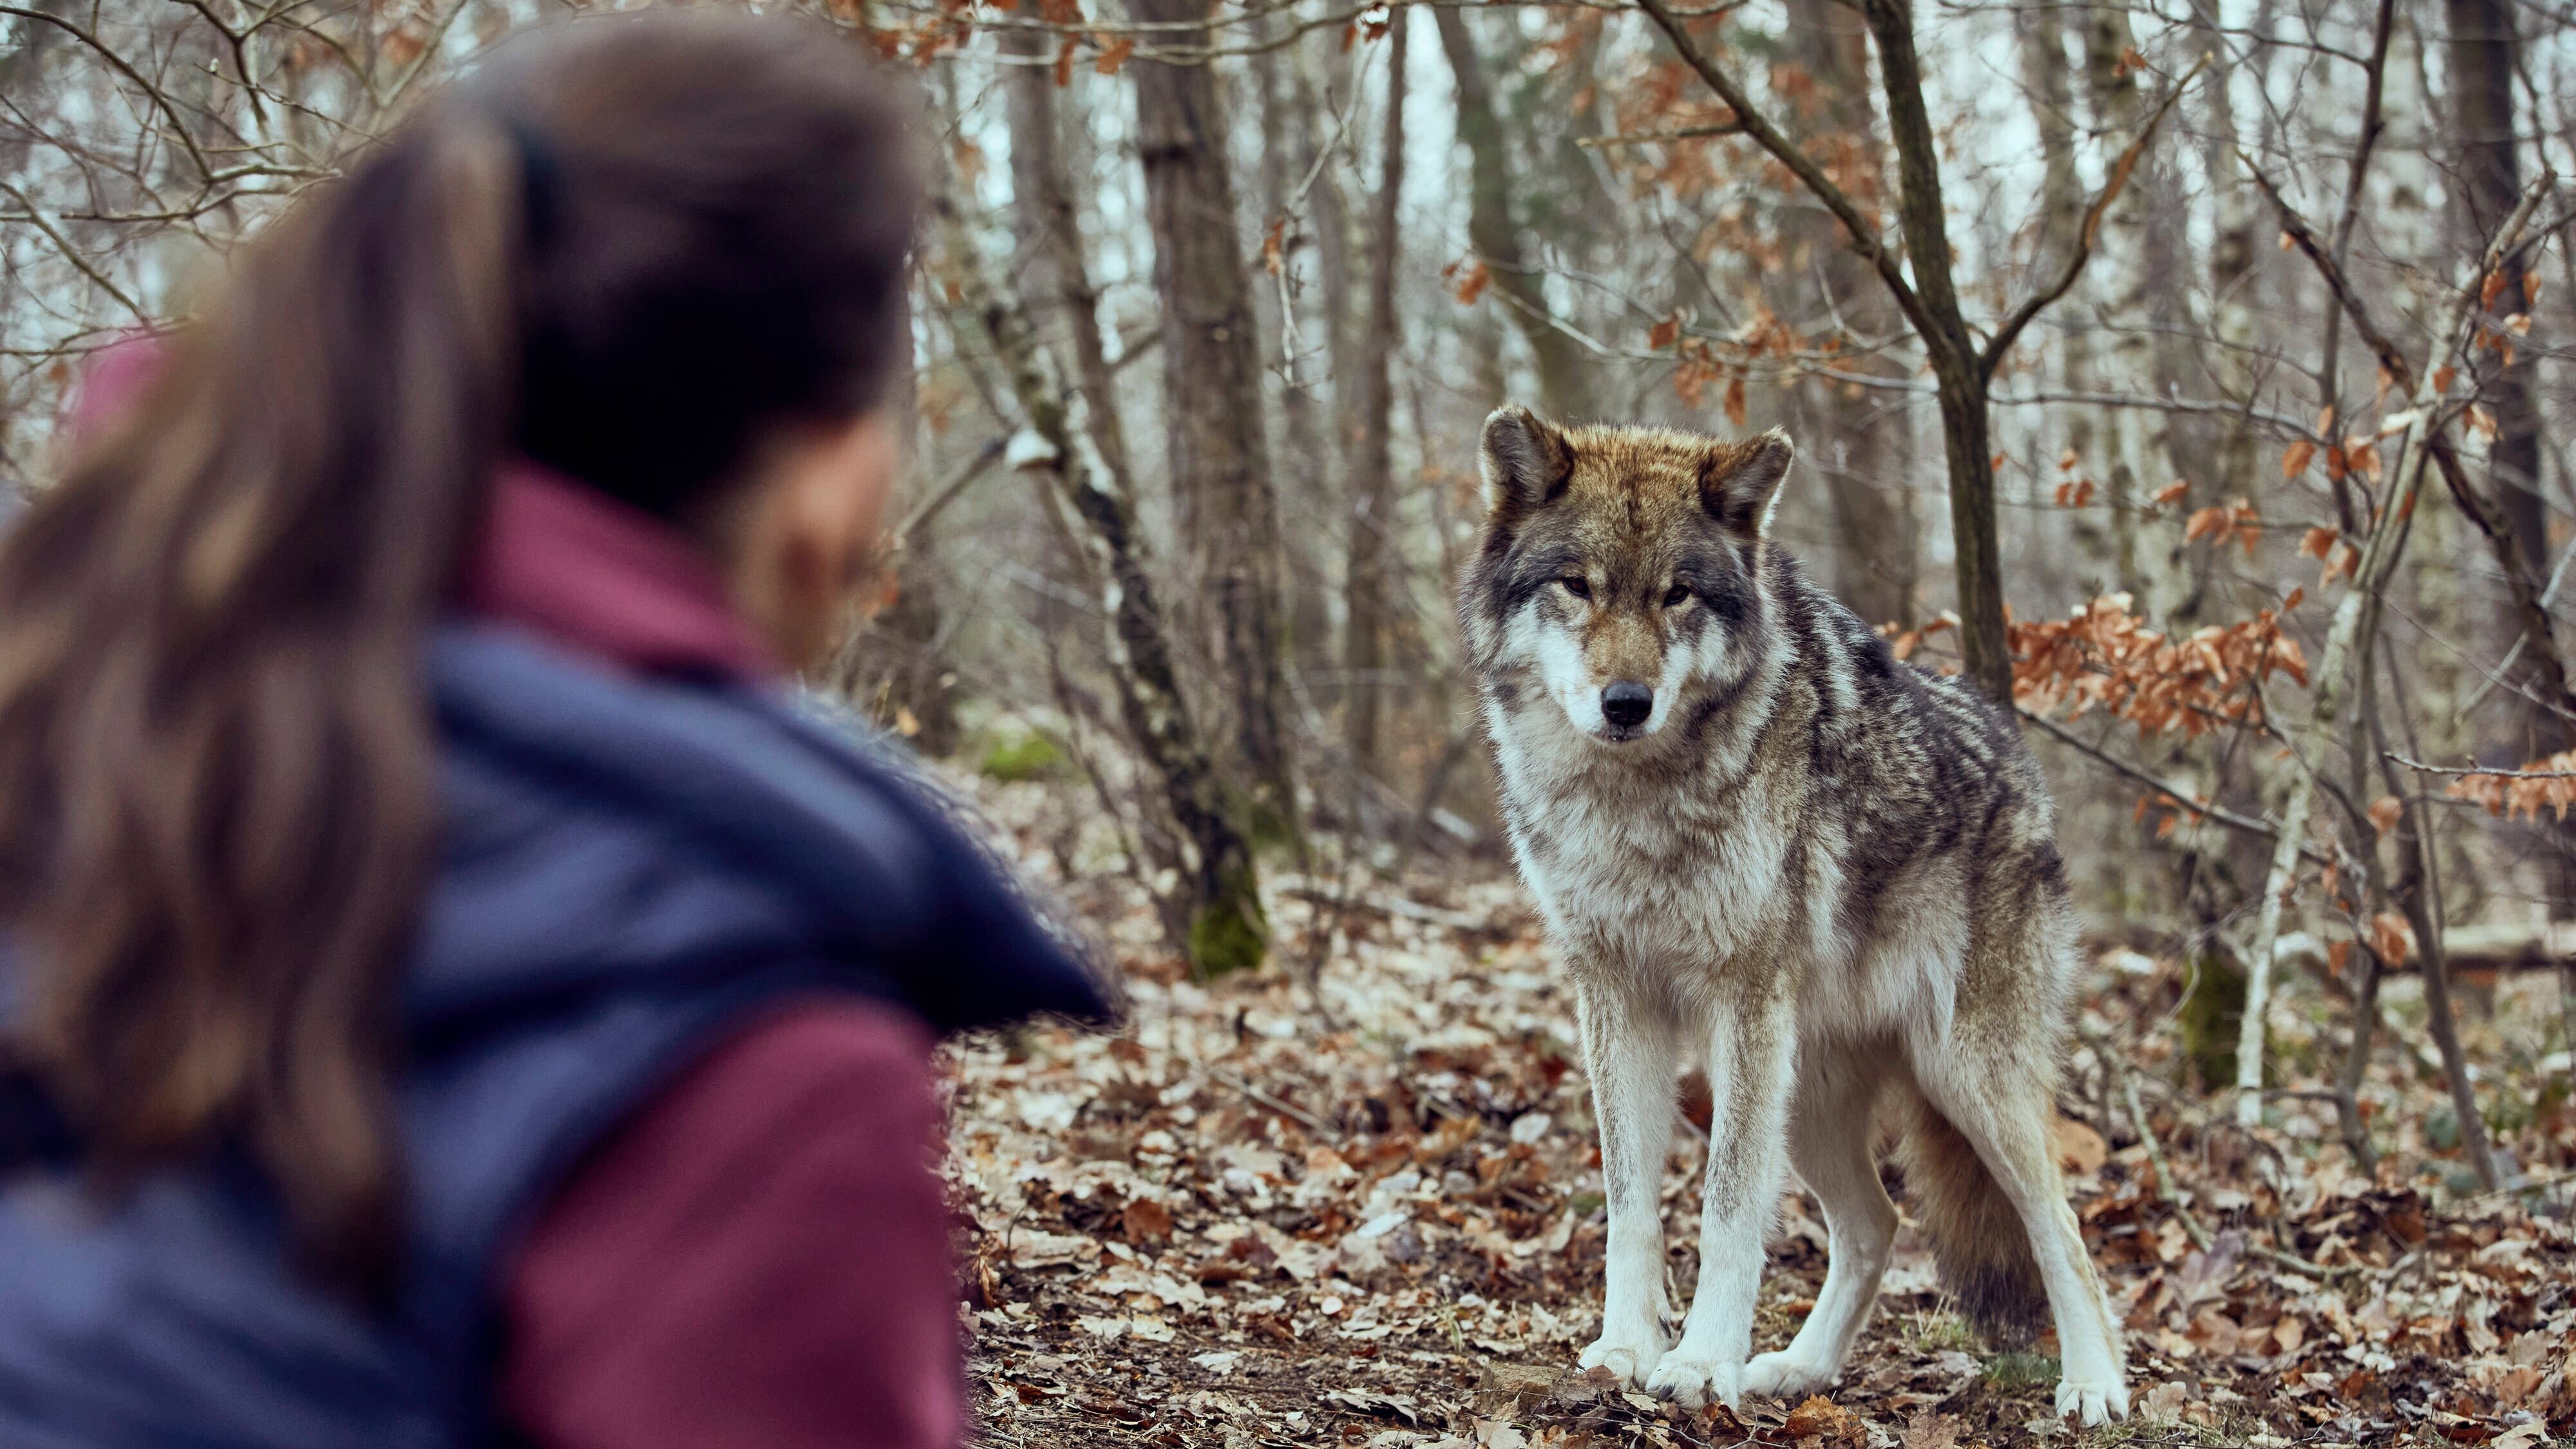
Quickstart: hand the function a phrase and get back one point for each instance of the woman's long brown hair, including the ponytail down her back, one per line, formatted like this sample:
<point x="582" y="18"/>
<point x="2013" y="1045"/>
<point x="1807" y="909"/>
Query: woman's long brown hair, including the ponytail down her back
<point x="627" y="249"/>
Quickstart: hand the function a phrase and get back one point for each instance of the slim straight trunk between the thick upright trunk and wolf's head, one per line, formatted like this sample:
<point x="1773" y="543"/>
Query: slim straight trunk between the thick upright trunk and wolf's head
<point x="1372" y="576"/>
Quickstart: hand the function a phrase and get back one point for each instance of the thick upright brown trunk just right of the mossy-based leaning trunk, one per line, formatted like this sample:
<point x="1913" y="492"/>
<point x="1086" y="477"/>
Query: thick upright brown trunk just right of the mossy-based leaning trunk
<point x="1217" y="442"/>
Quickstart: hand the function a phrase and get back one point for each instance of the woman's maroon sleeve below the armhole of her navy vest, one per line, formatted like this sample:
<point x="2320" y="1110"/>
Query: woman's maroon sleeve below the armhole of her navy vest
<point x="759" y="1259"/>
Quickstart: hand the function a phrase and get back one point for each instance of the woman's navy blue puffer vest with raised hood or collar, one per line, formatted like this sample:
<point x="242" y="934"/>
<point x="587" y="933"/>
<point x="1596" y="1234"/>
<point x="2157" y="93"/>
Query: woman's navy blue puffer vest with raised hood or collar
<point x="627" y="870"/>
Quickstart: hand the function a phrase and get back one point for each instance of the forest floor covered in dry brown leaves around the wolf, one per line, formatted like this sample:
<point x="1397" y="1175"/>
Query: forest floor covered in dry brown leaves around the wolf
<point x="1354" y="1200"/>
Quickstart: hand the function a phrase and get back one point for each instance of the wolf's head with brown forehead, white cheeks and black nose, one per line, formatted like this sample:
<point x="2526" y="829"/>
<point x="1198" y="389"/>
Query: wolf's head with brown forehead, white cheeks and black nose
<point x="1619" y="569"/>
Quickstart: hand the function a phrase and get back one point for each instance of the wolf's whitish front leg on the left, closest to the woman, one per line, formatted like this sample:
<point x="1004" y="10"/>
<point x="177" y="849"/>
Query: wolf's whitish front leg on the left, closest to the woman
<point x="1632" y="1064"/>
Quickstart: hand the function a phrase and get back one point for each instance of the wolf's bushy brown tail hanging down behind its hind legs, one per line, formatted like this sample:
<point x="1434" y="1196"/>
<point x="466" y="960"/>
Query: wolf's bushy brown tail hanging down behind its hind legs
<point x="1977" y="1239"/>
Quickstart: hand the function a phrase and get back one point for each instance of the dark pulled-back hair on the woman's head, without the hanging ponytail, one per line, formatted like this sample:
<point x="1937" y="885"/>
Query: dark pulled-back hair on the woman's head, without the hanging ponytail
<point x="717" y="218"/>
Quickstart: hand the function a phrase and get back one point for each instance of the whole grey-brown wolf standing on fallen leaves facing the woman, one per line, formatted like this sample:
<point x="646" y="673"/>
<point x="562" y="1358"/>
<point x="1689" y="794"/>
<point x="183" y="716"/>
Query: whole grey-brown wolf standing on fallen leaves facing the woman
<point x="1774" y="847"/>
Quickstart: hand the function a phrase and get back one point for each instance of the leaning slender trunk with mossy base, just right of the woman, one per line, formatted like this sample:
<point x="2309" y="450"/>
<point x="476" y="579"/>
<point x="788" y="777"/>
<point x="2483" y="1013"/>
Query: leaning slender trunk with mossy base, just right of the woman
<point x="1225" y="914"/>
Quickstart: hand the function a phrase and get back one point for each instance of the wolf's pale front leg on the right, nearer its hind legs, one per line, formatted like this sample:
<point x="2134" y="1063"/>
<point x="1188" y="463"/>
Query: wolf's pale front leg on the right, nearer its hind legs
<point x="1750" y="1079"/>
